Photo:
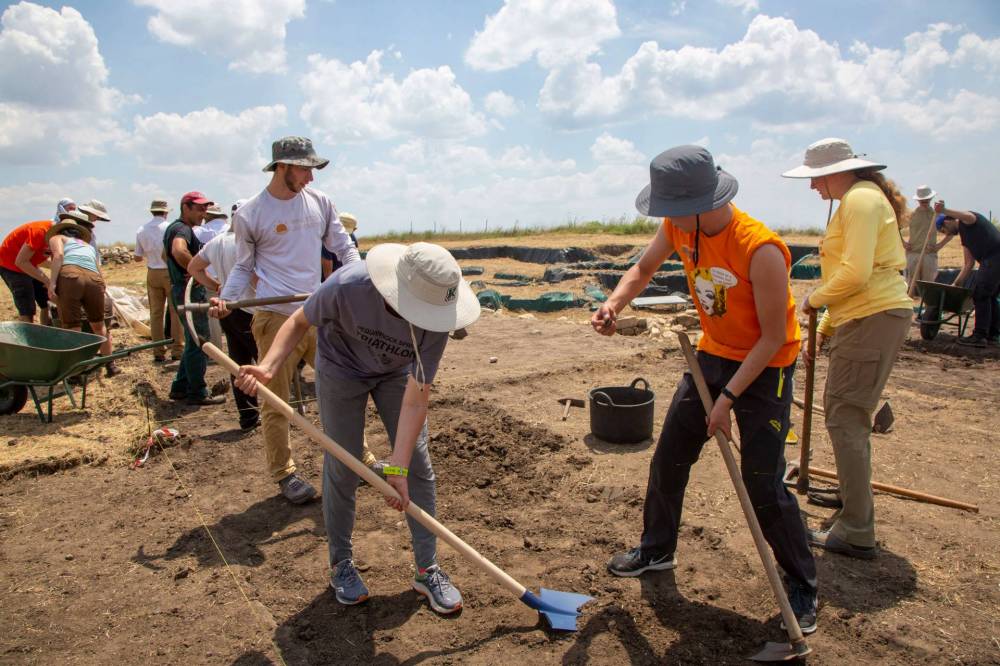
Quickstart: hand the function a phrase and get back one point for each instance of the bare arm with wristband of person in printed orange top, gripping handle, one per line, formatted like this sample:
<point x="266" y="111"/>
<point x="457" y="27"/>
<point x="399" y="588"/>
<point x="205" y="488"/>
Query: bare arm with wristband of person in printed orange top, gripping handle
<point x="769" y="279"/>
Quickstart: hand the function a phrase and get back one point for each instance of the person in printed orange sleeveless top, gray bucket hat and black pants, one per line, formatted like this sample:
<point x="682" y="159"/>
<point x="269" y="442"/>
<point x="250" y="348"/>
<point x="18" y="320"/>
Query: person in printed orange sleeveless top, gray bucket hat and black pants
<point x="738" y="271"/>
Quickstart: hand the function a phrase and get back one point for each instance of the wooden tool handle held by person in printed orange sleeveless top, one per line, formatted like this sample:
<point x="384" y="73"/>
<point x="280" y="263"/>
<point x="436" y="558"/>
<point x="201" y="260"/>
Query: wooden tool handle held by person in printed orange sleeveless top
<point x="791" y="624"/>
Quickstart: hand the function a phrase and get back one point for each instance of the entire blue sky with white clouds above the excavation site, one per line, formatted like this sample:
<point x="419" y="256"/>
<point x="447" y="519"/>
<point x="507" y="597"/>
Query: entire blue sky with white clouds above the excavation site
<point x="520" y="111"/>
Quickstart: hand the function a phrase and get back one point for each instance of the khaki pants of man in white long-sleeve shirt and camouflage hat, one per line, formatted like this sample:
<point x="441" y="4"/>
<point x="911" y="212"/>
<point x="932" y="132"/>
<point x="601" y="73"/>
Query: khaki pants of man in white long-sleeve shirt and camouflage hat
<point x="275" y="426"/>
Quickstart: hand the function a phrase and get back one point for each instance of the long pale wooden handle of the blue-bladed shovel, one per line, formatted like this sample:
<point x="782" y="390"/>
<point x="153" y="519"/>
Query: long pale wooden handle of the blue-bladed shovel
<point x="373" y="479"/>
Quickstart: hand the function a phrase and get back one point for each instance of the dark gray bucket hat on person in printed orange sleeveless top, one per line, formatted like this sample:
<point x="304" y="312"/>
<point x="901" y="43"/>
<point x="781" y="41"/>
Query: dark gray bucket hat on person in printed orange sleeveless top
<point x="685" y="181"/>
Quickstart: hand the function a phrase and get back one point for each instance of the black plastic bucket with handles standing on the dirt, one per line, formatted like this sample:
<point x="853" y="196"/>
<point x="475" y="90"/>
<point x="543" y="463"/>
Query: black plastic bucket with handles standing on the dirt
<point x="622" y="414"/>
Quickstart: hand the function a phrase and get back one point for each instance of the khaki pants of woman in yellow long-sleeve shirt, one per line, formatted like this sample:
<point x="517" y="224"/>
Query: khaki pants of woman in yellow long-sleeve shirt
<point x="862" y="353"/>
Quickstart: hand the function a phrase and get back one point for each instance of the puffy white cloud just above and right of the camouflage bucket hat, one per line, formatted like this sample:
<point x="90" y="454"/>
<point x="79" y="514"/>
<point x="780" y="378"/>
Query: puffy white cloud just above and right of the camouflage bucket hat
<point x="359" y="102"/>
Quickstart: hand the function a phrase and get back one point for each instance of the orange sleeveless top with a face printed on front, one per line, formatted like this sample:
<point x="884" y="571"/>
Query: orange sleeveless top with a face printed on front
<point x="721" y="290"/>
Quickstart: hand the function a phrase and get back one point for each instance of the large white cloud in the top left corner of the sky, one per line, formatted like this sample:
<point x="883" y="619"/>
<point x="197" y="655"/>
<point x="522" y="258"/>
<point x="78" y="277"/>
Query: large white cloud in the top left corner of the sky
<point x="57" y="105"/>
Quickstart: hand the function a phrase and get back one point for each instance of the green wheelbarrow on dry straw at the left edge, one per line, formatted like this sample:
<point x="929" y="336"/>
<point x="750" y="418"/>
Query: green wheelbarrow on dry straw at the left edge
<point x="41" y="360"/>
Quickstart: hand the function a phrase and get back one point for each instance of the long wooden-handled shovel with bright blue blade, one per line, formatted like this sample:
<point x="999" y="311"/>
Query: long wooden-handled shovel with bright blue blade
<point x="559" y="609"/>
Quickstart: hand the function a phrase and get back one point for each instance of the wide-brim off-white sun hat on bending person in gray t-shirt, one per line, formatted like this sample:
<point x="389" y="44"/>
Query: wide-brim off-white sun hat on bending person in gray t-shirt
<point x="423" y="283"/>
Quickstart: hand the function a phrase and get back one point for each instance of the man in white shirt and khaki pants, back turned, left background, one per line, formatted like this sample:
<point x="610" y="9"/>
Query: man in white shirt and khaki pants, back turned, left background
<point x="149" y="246"/>
